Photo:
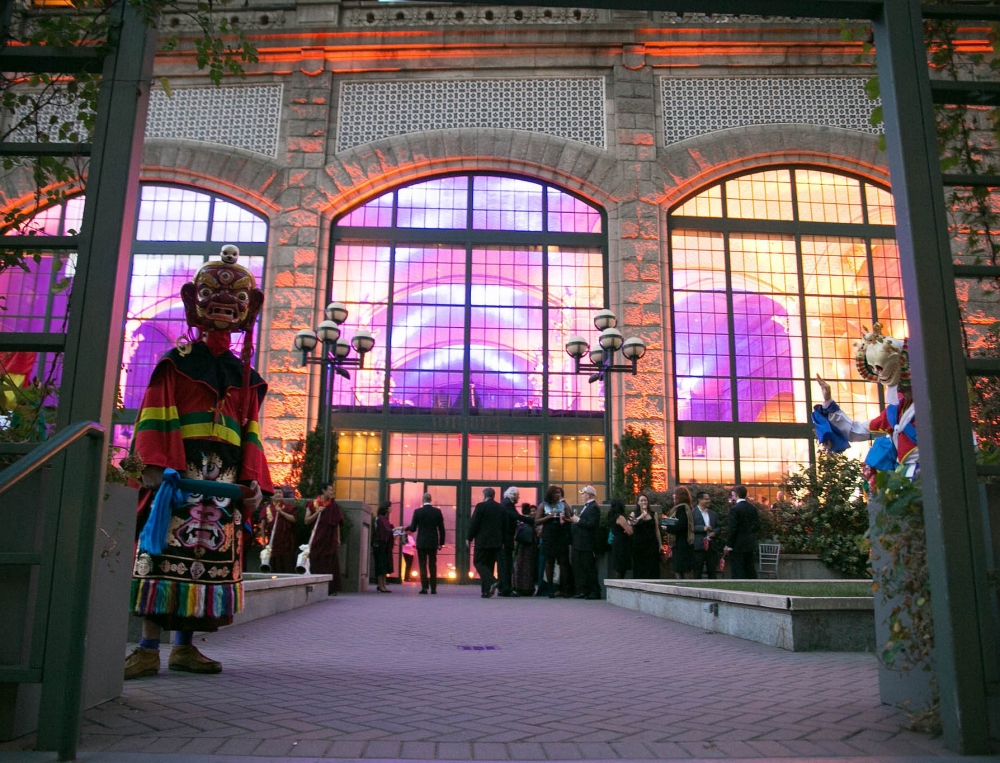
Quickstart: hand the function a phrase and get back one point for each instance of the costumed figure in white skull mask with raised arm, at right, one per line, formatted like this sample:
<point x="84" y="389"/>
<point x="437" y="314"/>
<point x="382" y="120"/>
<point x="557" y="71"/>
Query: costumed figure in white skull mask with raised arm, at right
<point x="884" y="360"/>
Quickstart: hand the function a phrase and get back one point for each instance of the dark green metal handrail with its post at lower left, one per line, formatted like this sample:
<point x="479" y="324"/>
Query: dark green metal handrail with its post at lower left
<point x="67" y="624"/>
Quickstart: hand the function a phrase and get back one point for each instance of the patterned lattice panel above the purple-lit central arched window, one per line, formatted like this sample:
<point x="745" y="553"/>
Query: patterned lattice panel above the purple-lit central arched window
<point x="567" y="108"/>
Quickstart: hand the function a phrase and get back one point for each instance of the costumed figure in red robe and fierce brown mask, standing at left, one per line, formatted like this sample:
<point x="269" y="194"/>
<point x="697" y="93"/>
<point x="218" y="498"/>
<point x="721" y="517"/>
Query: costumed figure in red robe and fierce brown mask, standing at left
<point x="199" y="419"/>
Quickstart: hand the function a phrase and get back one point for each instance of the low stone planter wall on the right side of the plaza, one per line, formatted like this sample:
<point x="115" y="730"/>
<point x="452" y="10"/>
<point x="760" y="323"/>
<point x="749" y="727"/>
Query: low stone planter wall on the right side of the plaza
<point x="795" y="623"/>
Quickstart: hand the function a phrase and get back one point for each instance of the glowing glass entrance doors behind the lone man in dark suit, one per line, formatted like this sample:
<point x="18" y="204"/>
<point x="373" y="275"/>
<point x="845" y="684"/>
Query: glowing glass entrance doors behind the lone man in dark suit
<point x="407" y="496"/>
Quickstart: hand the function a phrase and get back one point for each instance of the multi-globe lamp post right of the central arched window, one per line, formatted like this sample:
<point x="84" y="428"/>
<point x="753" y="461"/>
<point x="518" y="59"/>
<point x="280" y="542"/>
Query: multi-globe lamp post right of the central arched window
<point x="602" y="364"/>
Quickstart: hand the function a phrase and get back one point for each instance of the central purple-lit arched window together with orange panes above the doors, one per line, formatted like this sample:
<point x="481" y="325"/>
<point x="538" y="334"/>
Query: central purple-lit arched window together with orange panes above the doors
<point x="472" y="285"/>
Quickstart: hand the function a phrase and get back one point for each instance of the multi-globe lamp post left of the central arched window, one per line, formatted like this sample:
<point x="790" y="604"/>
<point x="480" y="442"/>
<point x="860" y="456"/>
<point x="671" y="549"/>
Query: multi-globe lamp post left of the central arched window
<point x="333" y="355"/>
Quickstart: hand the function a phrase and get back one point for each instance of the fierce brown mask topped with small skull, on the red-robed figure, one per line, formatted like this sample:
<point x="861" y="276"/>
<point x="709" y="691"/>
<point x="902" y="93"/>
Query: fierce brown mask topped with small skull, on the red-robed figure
<point x="223" y="295"/>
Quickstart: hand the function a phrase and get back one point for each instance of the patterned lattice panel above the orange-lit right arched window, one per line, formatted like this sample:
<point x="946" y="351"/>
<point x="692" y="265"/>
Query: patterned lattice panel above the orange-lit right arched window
<point x="695" y="106"/>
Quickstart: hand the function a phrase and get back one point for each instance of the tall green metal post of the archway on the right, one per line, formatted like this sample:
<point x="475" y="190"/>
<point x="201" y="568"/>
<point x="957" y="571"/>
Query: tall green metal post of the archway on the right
<point x="947" y="452"/>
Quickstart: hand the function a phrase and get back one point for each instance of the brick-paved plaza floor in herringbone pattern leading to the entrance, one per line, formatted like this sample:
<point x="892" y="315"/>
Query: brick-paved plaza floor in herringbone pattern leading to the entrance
<point x="384" y="677"/>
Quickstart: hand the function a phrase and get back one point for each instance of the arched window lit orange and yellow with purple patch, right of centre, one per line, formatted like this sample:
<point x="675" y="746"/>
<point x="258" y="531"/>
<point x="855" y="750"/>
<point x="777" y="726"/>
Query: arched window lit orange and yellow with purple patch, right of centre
<point x="774" y="276"/>
